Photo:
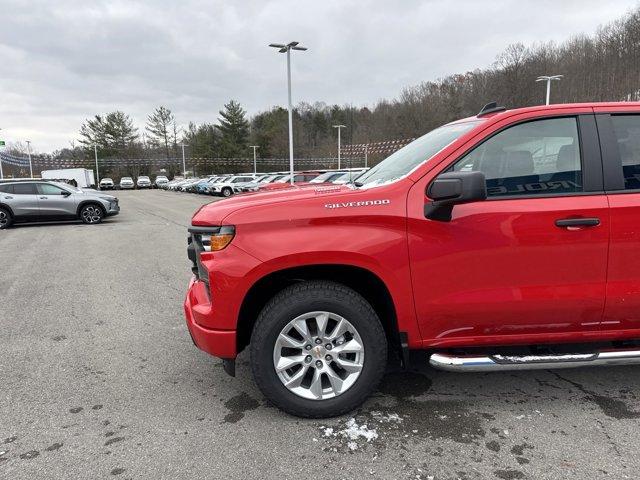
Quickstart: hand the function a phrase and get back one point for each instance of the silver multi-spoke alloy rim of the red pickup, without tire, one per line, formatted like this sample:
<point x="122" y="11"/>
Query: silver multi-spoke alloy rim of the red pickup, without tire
<point x="318" y="355"/>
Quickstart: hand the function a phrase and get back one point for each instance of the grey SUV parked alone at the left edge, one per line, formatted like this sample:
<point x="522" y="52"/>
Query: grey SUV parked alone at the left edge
<point x="38" y="200"/>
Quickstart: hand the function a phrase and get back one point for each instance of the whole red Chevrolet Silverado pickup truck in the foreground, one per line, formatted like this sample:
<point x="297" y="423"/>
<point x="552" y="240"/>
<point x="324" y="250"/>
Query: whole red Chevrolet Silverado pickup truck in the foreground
<point x="507" y="240"/>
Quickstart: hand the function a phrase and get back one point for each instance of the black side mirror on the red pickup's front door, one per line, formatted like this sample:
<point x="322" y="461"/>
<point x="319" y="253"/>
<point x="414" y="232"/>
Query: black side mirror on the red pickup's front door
<point x="454" y="188"/>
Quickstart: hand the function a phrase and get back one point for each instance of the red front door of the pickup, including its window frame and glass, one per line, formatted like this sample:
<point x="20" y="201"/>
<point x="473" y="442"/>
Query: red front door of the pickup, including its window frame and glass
<point x="508" y="269"/>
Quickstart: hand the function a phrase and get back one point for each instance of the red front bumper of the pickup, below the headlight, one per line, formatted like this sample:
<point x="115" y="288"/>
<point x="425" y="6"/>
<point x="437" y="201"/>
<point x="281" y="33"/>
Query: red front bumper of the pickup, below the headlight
<point x="197" y="306"/>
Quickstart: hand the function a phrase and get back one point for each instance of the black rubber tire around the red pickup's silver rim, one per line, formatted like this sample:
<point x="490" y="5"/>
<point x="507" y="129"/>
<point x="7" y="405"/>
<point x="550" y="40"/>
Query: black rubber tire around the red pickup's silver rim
<point x="307" y="297"/>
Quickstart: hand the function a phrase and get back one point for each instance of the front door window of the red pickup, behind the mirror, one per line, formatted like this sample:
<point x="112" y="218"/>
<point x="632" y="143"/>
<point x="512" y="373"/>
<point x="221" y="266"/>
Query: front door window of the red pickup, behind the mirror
<point x="539" y="157"/>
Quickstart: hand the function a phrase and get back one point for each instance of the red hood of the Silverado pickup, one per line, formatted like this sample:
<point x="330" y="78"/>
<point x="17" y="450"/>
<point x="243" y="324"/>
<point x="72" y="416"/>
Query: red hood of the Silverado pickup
<point x="214" y="213"/>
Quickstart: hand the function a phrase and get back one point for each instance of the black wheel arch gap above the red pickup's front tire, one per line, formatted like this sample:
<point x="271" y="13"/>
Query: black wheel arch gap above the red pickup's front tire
<point x="363" y="281"/>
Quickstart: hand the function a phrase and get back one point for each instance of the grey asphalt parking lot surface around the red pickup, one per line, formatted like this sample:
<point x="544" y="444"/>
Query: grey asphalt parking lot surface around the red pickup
<point x="100" y="379"/>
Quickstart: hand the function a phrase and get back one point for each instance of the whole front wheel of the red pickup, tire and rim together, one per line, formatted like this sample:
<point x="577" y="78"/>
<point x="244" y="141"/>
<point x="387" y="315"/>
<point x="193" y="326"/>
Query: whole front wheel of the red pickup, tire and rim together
<point x="318" y="349"/>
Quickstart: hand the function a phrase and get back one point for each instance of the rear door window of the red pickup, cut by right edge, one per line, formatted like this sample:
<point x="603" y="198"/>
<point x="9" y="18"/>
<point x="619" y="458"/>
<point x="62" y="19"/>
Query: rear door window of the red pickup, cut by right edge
<point x="627" y="132"/>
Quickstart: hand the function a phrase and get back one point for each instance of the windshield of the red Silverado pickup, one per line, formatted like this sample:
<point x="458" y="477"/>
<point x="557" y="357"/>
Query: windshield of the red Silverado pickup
<point x="401" y="163"/>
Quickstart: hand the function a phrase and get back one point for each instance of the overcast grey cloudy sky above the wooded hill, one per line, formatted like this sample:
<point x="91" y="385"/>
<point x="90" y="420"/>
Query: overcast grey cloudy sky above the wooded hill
<point x="64" y="61"/>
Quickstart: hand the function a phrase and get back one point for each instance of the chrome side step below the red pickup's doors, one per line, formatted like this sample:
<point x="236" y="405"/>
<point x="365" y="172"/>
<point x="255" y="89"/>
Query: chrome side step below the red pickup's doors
<point x="493" y="363"/>
